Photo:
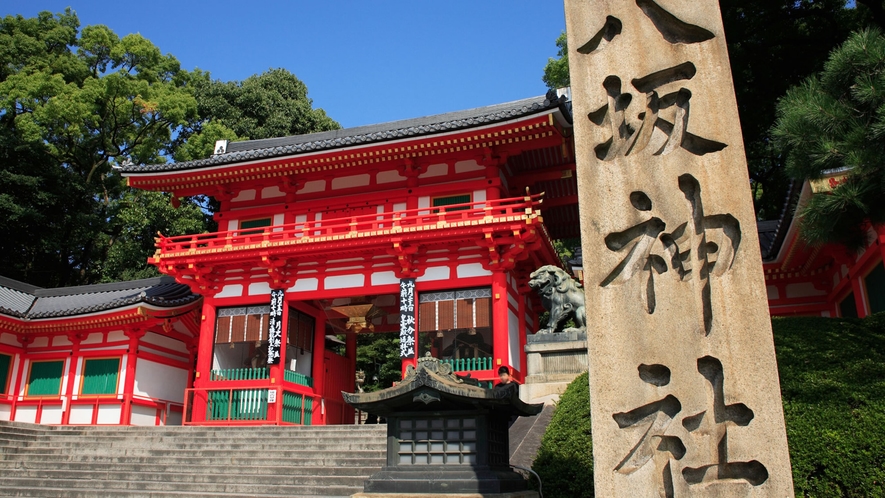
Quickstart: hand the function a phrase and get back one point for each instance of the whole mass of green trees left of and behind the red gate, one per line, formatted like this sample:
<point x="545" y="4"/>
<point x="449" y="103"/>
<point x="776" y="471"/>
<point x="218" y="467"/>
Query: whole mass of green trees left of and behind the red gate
<point x="73" y="104"/>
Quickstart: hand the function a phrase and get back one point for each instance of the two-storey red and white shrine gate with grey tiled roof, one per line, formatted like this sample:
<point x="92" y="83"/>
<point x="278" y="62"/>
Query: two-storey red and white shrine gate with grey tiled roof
<point x="331" y="224"/>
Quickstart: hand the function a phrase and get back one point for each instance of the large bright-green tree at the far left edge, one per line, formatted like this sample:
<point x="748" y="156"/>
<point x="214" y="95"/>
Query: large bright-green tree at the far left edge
<point x="72" y="104"/>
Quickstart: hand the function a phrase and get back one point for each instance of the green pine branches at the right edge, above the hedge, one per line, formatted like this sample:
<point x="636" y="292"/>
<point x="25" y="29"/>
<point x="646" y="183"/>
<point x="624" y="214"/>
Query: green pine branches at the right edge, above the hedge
<point x="836" y="120"/>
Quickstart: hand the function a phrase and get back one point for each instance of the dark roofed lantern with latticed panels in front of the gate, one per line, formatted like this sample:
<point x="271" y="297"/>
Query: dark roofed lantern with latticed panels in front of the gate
<point x="445" y="434"/>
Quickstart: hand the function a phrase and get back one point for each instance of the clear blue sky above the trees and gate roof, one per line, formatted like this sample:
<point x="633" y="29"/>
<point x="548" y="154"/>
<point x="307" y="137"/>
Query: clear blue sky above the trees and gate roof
<point x="364" y="61"/>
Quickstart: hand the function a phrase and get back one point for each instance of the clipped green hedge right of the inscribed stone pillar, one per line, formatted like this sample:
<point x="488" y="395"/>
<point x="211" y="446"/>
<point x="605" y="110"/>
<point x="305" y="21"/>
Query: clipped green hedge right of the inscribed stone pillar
<point x="833" y="382"/>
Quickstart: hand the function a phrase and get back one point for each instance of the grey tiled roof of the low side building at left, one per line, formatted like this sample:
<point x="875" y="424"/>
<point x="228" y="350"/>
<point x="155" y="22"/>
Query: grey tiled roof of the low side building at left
<point x="26" y="301"/>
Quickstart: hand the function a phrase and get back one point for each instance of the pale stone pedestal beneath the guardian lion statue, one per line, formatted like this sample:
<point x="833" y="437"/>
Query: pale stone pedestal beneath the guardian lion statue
<point x="553" y="361"/>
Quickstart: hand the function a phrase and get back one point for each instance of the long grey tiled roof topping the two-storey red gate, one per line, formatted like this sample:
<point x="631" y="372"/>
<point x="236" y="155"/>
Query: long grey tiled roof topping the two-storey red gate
<point x="362" y="135"/>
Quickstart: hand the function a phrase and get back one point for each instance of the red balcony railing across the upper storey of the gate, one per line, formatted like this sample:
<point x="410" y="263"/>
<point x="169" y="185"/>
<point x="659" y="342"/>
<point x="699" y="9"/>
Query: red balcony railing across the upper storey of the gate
<point x="354" y="225"/>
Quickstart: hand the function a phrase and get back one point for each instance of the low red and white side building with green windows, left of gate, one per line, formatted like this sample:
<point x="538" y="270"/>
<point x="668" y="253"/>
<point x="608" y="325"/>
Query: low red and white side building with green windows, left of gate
<point x="115" y="353"/>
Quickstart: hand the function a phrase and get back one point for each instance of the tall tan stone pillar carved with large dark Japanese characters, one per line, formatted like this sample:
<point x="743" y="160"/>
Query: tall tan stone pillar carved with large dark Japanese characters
<point x="683" y="378"/>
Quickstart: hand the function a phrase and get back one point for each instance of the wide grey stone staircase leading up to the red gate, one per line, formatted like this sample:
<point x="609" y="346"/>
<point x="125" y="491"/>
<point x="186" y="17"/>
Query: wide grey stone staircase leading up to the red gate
<point x="136" y="462"/>
